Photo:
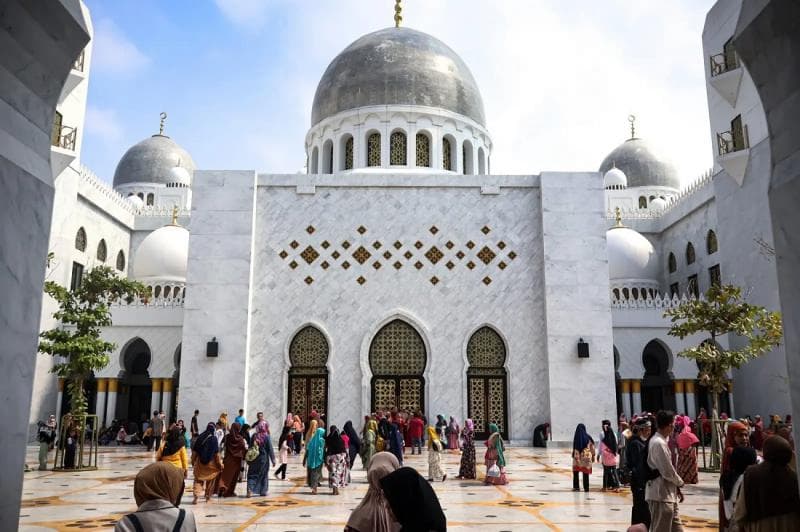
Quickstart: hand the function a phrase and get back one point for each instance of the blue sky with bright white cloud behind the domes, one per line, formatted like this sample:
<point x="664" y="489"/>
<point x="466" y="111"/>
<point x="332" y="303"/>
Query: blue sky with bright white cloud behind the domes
<point x="558" y="78"/>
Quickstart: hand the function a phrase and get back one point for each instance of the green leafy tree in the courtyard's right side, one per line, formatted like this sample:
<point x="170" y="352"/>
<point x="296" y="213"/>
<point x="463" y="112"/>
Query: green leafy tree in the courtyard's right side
<point x="724" y="311"/>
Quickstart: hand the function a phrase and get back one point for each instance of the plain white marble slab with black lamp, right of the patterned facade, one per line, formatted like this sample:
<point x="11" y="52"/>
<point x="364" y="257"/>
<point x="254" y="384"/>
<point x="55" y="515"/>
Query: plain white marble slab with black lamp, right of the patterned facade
<point x="576" y="296"/>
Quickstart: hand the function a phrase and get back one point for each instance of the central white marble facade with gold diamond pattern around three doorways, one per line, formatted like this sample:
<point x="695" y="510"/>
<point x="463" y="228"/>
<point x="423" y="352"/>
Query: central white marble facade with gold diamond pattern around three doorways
<point x="404" y="209"/>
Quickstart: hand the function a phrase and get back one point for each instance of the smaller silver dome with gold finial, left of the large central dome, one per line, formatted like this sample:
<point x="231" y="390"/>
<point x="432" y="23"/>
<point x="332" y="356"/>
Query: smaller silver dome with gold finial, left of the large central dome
<point x="152" y="161"/>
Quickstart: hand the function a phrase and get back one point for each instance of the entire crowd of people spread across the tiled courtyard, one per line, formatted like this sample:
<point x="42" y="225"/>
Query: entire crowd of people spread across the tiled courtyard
<point x="654" y="454"/>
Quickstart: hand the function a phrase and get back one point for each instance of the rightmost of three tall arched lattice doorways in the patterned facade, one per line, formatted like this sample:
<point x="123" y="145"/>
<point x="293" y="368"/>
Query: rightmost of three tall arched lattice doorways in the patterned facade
<point x="487" y="398"/>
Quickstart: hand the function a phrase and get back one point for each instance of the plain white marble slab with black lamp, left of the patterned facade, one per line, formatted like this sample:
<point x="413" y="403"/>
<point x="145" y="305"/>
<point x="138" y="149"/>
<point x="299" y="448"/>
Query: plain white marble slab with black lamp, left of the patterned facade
<point x="218" y="293"/>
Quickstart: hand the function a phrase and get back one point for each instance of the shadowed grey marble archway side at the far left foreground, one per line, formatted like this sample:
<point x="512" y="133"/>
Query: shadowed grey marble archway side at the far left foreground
<point x="40" y="44"/>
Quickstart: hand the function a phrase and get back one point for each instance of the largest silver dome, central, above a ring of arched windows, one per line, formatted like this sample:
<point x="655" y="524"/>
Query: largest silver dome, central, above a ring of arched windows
<point x="397" y="66"/>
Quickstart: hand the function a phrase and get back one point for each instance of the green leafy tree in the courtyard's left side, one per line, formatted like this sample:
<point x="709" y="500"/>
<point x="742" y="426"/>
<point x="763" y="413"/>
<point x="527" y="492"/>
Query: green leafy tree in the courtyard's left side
<point x="81" y="313"/>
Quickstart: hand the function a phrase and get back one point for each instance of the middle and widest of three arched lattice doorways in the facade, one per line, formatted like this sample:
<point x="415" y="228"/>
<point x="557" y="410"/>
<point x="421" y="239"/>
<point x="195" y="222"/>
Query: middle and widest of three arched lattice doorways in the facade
<point x="397" y="358"/>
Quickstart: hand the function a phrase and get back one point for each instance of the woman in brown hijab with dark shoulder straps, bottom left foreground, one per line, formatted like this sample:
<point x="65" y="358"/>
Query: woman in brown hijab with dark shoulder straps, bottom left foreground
<point x="158" y="489"/>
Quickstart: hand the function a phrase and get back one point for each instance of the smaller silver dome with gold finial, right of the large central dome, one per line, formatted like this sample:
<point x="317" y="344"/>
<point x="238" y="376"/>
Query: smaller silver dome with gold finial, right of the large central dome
<point x="641" y="166"/>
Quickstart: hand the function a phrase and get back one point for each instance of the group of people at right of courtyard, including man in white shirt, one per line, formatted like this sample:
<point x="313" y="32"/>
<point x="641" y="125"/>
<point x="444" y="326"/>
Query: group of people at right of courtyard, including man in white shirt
<point x="657" y="455"/>
